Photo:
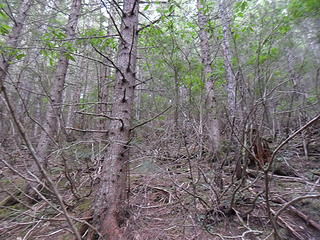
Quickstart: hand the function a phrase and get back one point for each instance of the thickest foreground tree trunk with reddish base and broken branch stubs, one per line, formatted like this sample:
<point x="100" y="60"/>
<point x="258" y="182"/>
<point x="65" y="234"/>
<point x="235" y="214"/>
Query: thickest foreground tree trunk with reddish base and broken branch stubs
<point x="111" y="199"/>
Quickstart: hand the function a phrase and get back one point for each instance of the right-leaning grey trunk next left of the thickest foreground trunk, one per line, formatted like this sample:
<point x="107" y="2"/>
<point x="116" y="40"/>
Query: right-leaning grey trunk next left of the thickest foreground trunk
<point x="56" y="94"/>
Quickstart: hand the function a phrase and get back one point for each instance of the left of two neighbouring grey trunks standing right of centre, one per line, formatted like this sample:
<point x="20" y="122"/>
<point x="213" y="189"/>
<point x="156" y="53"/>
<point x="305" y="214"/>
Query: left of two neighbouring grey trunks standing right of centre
<point x="211" y="120"/>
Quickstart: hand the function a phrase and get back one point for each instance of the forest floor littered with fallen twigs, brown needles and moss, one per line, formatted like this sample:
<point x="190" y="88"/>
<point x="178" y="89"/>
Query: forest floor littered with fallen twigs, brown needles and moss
<point x="177" y="191"/>
